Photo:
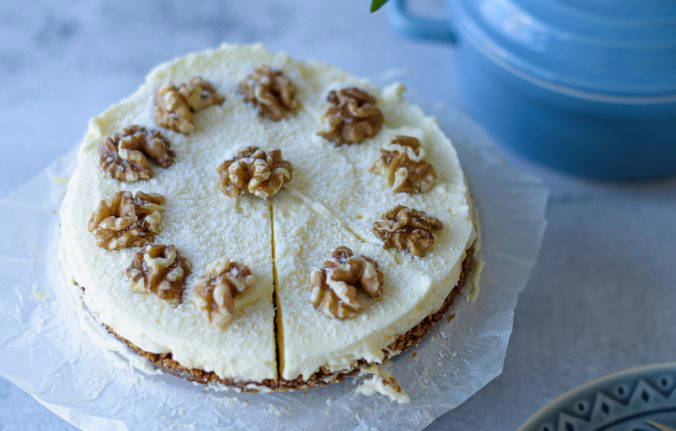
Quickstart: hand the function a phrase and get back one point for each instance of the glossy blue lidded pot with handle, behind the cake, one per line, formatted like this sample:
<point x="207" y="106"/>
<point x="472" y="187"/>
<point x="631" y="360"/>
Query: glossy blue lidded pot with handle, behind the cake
<point x="586" y="87"/>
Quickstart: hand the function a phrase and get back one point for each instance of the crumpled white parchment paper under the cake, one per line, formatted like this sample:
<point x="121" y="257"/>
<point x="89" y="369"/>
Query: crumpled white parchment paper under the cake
<point x="45" y="350"/>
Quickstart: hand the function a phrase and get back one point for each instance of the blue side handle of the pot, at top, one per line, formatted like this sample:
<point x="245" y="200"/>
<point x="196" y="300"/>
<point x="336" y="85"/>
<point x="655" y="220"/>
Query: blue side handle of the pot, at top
<point x="415" y="27"/>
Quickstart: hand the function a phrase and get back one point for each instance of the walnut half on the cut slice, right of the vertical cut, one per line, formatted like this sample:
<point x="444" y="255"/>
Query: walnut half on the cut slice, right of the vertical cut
<point x="335" y="286"/>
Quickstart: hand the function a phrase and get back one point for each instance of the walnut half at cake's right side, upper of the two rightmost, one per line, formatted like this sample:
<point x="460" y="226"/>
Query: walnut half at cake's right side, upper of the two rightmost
<point x="401" y="162"/>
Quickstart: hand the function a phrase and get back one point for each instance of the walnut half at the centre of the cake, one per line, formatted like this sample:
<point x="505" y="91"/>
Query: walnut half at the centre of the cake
<point x="260" y="173"/>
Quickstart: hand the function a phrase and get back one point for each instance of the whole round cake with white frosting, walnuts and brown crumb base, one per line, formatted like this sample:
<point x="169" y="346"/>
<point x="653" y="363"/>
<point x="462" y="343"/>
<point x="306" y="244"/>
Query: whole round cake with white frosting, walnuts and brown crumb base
<point x="251" y="220"/>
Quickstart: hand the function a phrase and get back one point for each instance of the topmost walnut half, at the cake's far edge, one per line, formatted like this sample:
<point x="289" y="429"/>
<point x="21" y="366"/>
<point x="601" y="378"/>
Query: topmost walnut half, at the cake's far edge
<point x="272" y="93"/>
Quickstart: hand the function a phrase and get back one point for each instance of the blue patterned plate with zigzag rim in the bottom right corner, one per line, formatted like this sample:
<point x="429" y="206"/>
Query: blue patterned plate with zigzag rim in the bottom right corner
<point x="638" y="399"/>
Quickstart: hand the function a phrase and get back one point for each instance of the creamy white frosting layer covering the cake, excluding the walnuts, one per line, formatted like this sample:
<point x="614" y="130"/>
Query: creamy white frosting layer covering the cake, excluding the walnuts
<point x="332" y="200"/>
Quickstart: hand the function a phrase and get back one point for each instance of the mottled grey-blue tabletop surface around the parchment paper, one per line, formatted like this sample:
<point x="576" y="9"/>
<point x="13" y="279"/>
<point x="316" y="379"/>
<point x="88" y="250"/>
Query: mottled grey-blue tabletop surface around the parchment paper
<point x="600" y="299"/>
